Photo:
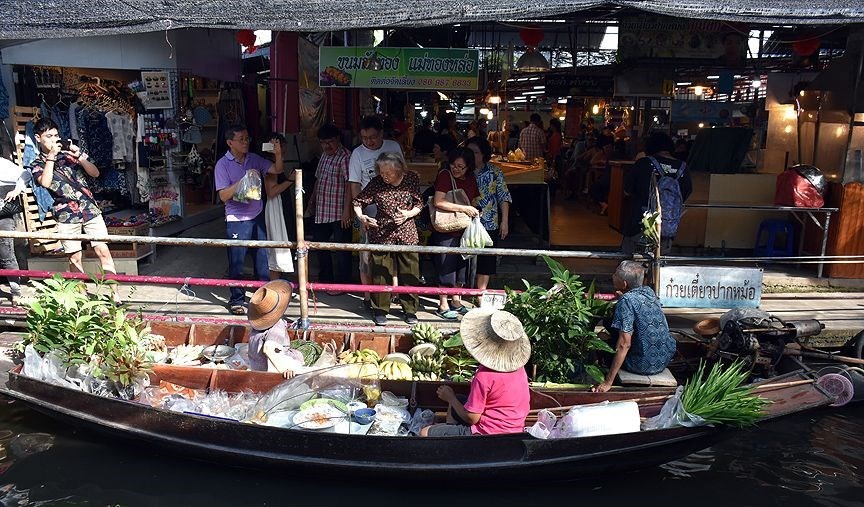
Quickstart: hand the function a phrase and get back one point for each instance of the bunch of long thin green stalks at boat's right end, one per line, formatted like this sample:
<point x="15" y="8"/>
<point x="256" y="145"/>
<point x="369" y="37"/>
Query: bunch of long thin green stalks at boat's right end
<point x="720" y="397"/>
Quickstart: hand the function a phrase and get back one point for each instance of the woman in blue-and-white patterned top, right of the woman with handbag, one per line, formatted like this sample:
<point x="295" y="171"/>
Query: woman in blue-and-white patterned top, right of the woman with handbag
<point x="494" y="204"/>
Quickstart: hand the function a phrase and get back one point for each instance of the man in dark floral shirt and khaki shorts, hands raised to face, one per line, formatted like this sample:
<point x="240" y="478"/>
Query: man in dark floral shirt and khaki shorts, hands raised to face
<point x="60" y="168"/>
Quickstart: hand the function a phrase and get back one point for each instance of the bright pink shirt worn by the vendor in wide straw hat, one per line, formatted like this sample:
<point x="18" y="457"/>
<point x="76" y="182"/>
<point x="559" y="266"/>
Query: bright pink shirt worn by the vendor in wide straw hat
<point x="501" y="399"/>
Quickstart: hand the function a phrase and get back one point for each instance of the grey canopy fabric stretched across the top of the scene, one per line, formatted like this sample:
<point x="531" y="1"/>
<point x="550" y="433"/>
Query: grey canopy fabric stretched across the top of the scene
<point x="70" y="18"/>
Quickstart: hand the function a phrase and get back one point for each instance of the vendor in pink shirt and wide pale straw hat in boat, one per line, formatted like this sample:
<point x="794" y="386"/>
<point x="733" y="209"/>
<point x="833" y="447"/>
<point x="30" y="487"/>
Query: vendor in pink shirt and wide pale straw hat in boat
<point x="499" y="399"/>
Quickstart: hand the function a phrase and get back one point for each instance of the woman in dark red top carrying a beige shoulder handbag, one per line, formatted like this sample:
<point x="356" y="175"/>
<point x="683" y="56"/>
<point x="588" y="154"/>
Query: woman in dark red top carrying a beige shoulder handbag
<point x="455" y="191"/>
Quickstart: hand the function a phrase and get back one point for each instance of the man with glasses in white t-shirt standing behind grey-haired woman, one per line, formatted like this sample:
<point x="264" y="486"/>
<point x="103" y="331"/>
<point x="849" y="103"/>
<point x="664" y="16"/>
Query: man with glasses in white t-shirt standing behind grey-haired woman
<point x="361" y="170"/>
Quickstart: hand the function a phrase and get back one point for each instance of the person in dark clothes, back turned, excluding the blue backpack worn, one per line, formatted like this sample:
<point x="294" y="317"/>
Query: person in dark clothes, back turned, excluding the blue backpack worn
<point x="637" y="186"/>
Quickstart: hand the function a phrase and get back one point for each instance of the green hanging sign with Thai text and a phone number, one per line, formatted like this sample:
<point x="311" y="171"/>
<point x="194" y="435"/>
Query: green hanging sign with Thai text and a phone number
<point x="406" y="68"/>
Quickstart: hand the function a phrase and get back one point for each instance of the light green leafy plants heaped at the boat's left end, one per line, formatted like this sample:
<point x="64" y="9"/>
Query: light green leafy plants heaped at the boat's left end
<point x="87" y="328"/>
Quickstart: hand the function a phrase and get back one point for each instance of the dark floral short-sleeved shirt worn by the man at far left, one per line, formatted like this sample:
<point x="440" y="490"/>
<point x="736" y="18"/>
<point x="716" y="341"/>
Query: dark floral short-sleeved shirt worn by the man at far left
<point x="73" y="200"/>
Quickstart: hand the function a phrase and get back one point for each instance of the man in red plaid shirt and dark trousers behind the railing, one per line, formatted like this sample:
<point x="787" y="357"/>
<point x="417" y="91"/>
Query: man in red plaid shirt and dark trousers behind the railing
<point x="330" y="204"/>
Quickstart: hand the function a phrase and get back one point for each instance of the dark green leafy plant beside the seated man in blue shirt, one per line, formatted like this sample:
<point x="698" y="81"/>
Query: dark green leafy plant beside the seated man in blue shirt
<point x="560" y="322"/>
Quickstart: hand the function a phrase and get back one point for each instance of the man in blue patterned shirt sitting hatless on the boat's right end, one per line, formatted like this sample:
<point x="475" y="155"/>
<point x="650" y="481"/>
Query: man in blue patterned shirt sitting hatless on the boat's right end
<point x="645" y="346"/>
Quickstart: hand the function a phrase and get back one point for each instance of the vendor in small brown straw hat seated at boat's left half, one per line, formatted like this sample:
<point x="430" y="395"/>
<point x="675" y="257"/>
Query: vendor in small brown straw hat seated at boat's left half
<point x="266" y="308"/>
